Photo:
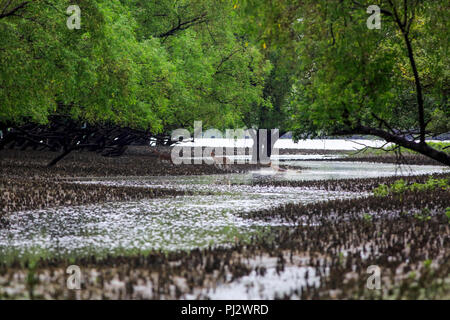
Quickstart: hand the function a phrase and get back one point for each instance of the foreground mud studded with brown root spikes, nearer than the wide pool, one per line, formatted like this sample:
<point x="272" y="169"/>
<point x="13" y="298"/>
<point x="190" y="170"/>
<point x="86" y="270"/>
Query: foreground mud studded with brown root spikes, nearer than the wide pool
<point x="330" y="242"/>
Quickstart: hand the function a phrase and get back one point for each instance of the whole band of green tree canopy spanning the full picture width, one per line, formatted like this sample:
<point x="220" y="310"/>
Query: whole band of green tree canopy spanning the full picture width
<point x="140" y="68"/>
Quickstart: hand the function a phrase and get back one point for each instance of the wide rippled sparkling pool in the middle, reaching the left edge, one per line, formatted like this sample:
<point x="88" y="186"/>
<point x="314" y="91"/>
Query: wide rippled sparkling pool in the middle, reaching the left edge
<point x="183" y="222"/>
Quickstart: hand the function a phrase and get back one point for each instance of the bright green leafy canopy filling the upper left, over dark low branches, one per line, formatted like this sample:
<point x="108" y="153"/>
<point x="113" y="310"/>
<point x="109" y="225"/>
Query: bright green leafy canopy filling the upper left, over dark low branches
<point x="129" y="65"/>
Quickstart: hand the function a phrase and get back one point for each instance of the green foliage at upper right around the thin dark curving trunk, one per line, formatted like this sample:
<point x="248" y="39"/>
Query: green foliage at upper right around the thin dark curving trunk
<point x="351" y="76"/>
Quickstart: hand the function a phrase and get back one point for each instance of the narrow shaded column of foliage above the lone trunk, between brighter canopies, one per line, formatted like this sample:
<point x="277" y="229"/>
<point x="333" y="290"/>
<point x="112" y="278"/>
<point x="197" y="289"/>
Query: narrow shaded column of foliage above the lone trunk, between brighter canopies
<point x="269" y="25"/>
